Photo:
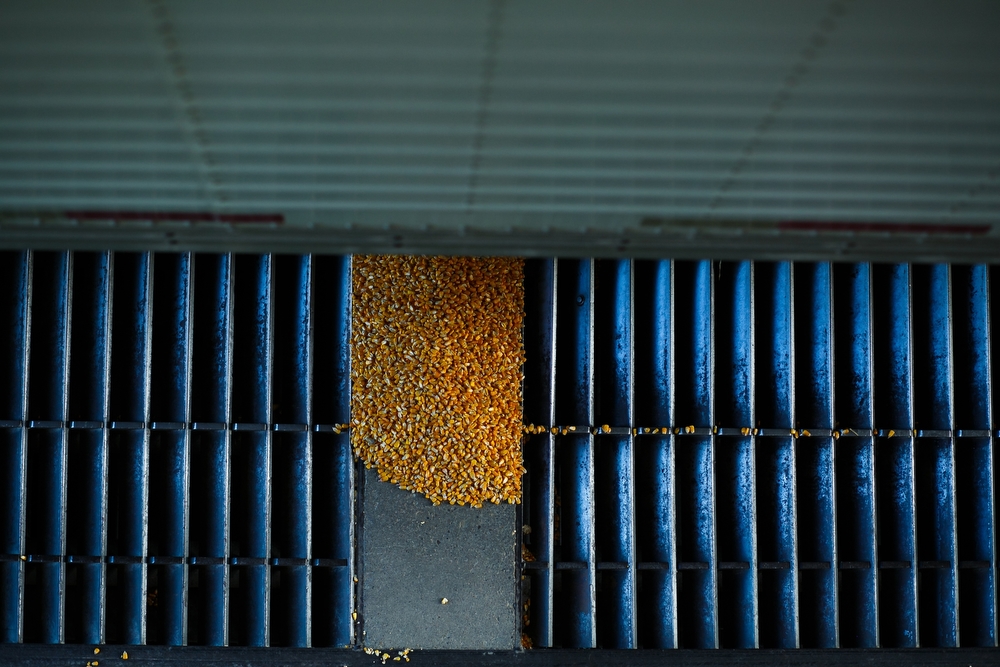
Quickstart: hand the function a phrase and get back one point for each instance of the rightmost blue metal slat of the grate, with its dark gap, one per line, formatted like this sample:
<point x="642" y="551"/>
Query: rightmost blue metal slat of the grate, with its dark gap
<point x="974" y="456"/>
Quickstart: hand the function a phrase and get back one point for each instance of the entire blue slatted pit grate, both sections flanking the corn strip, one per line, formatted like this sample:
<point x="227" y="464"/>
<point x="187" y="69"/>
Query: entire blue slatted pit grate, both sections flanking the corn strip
<point x="803" y="411"/>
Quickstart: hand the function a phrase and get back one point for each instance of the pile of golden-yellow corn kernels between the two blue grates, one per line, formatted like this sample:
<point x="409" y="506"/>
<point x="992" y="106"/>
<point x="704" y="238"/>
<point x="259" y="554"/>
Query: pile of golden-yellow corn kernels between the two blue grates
<point x="436" y="369"/>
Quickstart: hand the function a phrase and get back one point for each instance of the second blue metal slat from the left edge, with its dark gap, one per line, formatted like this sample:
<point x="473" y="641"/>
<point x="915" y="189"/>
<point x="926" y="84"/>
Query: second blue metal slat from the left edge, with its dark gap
<point x="48" y="400"/>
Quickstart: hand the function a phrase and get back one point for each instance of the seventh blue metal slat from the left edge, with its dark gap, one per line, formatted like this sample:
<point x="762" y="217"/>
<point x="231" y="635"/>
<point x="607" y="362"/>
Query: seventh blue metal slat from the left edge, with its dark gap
<point x="252" y="403"/>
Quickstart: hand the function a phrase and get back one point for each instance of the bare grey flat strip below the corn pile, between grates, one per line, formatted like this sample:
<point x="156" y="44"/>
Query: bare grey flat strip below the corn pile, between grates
<point x="413" y="555"/>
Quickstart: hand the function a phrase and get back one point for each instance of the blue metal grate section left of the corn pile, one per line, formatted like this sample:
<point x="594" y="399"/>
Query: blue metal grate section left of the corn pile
<point x="173" y="467"/>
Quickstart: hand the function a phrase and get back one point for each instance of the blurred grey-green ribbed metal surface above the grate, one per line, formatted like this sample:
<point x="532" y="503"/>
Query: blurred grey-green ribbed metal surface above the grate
<point x="497" y="117"/>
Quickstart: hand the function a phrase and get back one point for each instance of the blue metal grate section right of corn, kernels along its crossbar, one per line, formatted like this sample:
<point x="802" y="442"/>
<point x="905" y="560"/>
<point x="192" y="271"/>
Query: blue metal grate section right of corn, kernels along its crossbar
<point x="744" y="454"/>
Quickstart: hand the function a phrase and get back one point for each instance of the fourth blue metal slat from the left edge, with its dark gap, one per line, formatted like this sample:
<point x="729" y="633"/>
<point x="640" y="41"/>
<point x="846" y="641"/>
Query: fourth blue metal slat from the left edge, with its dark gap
<point x="130" y="387"/>
